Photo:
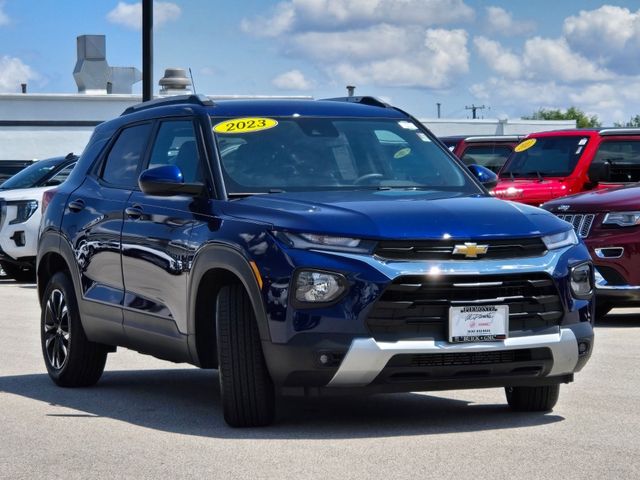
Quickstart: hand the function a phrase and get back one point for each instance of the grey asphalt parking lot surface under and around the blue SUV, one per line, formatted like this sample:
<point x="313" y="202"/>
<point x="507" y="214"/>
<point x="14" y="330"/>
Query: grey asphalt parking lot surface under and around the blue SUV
<point x="151" y="419"/>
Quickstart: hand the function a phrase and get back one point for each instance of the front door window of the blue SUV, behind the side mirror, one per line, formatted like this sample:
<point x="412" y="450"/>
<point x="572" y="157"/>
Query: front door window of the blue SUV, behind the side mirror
<point x="176" y="144"/>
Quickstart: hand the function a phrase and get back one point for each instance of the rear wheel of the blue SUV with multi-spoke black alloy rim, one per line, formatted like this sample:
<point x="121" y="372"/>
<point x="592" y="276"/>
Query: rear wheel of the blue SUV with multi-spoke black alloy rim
<point x="71" y="359"/>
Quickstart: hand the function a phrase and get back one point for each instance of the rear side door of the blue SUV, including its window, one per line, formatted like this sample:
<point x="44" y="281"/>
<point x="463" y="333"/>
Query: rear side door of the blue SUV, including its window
<point x="93" y="219"/>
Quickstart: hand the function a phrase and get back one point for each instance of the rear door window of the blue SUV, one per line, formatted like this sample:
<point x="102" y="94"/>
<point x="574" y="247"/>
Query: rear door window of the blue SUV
<point x="121" y="167"/>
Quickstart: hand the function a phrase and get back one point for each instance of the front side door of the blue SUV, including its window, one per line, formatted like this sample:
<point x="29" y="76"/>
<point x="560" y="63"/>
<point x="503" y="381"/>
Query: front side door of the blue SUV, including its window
<point x="156" y="256"/>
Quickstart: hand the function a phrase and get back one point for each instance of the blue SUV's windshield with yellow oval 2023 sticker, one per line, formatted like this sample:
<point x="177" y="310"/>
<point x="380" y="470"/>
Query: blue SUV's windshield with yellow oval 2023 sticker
<point x="320" y="153"/>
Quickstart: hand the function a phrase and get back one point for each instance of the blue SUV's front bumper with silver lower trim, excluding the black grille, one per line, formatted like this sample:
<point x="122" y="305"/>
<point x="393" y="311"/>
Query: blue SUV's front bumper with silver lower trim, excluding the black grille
<point x="361" y="359"/>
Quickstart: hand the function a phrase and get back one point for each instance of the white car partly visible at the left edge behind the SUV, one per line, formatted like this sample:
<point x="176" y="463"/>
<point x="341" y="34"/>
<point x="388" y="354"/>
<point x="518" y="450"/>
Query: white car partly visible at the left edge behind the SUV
<point x="20" y="213"/>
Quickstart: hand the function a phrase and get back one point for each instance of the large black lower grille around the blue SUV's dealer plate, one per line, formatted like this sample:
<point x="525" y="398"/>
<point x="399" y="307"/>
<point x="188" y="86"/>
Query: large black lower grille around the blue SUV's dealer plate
<point x="418" y="307"/>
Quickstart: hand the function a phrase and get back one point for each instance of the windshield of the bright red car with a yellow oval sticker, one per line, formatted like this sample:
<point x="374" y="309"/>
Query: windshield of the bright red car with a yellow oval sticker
<point x="545" y="157"/>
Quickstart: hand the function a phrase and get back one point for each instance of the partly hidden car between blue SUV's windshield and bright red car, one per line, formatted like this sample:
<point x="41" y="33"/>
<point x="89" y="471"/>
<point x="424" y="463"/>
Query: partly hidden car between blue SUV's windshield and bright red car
<point x="490" y="151"/>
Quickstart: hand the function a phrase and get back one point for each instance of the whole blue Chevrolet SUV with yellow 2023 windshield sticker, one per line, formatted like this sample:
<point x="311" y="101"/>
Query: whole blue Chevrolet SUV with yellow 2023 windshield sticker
<point x="305" y="247"/>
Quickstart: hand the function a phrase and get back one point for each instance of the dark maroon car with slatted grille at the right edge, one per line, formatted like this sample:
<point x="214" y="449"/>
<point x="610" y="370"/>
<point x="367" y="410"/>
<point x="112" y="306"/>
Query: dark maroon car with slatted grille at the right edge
<point x="609" y="223"/>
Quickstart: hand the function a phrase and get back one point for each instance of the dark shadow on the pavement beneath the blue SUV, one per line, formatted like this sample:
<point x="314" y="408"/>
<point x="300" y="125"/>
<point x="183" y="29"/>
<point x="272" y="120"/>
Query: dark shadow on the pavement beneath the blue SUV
<point x="187" y="402"/>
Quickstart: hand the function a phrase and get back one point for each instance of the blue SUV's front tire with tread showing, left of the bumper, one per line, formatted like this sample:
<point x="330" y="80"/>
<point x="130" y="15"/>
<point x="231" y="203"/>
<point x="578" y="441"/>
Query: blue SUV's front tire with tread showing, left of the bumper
<point x="246" y="389"/>
